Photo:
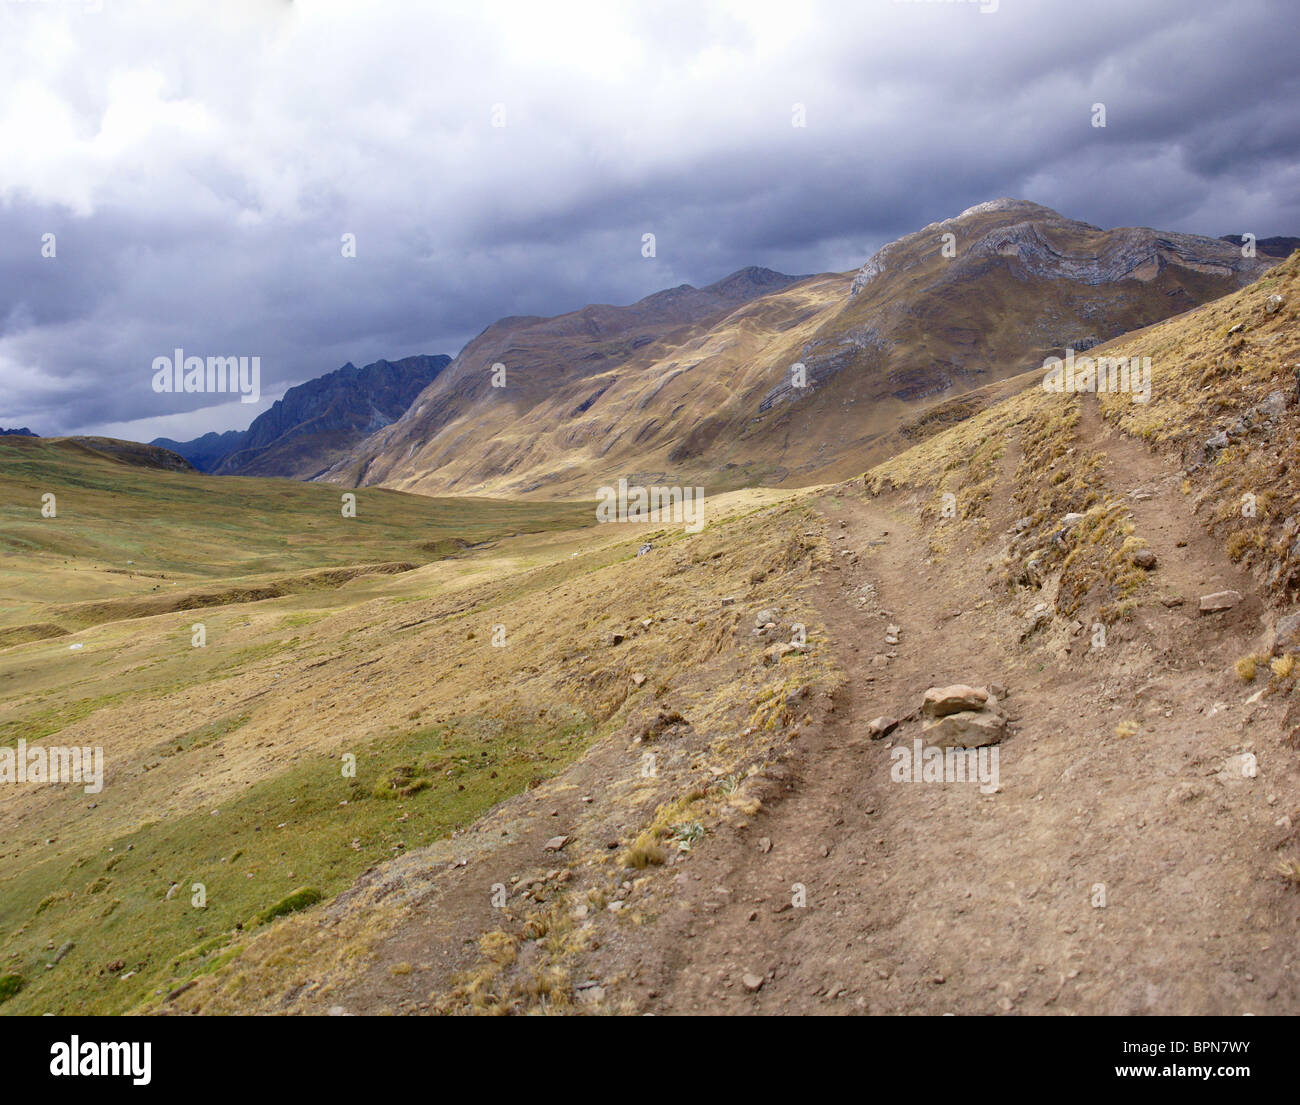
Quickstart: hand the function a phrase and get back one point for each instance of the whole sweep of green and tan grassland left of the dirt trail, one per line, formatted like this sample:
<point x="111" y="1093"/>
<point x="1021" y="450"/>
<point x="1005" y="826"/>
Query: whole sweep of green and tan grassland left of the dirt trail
<point x="224" y="764"/>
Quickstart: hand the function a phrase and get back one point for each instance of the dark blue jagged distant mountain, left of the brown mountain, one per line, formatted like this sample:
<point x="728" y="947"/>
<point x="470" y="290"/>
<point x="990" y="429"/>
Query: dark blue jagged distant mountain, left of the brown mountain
<point x="317" y="423"/>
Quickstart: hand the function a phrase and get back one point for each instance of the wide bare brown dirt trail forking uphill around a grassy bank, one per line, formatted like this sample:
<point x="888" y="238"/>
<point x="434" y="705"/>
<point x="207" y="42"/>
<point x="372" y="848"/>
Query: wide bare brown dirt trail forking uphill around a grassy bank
<point x="935" y="898"/>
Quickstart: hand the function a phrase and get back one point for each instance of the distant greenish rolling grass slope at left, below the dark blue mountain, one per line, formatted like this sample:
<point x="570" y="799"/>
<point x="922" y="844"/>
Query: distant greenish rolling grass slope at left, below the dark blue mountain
<point x="145" y="540"/>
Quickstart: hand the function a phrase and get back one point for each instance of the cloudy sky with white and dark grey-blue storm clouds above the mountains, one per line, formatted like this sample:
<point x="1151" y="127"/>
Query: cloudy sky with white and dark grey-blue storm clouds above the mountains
<point x="198" y="163"/>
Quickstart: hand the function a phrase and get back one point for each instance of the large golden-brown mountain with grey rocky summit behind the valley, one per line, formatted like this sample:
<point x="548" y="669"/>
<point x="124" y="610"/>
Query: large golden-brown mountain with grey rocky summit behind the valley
<point x="686" y="388"/>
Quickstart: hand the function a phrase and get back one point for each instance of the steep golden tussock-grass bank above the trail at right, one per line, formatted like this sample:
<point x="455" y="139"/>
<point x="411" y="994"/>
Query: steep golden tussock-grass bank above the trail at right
<point x="1227" y="367"/>
